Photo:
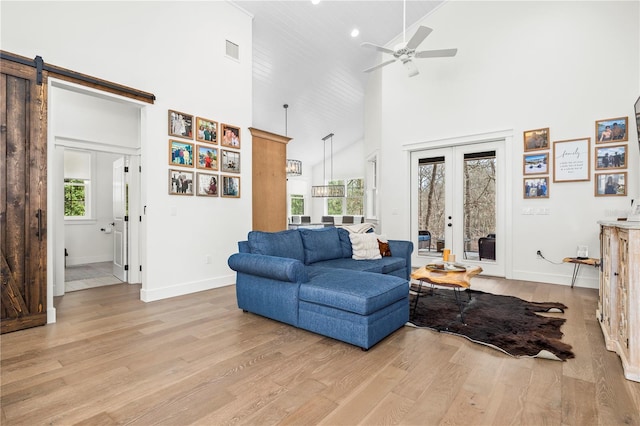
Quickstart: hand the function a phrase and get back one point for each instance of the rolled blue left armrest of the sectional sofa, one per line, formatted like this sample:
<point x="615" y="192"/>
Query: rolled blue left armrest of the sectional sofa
<point x="277" y="268"/>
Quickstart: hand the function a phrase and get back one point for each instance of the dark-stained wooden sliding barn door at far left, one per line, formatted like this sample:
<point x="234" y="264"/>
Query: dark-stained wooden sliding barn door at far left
<point x="23" y="201"/>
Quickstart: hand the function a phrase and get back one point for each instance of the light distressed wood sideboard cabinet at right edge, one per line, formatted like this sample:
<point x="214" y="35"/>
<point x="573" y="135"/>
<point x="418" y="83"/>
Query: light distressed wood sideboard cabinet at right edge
<point x="619" y="292"/>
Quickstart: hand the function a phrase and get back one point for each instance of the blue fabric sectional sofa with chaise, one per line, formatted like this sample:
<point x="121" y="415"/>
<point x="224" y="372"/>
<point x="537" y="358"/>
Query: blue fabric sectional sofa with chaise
<point x="307" y="278"/>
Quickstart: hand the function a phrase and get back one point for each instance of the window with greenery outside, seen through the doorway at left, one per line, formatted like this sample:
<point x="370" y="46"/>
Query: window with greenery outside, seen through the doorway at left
<point x="77" y="184"/>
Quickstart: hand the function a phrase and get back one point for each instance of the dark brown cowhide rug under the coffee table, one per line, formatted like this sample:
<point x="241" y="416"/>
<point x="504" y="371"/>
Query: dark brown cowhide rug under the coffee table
<point x="506" y="323"/>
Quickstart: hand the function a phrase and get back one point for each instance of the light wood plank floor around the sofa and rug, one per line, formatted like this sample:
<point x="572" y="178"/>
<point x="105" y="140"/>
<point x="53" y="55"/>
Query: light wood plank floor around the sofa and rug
<point x="198" y="359"/>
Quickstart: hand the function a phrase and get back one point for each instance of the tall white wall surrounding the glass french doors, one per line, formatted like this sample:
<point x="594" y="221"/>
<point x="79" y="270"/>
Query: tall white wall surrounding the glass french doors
<point x="520" y="66"/>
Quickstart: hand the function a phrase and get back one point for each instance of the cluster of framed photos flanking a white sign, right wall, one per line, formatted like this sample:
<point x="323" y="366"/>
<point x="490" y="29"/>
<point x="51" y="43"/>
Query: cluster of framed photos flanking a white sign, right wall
<point x="570" y="160"/>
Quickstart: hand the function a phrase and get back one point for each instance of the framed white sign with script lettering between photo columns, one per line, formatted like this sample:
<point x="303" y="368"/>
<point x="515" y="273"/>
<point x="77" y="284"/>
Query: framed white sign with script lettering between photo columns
<point x="571" y="160"/>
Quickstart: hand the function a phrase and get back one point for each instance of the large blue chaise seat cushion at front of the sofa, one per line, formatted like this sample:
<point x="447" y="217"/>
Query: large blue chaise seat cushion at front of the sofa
<point x="358" y="292"/>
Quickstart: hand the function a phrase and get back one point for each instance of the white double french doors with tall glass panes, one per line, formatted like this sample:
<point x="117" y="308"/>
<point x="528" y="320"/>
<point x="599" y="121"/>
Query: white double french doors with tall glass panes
<point x="458" y="204"/>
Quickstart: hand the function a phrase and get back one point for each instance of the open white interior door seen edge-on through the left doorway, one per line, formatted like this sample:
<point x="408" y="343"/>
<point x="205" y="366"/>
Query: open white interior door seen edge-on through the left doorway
<point x="120" y="219"/>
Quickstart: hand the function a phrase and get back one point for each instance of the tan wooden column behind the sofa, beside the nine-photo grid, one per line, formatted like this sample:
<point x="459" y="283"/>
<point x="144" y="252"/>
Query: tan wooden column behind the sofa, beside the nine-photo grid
<point x="269" y="180"/>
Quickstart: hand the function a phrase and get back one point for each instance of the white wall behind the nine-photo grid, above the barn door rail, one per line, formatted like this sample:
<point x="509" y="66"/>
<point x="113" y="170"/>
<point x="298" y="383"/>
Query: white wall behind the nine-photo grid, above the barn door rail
<point x="175" y="50"/>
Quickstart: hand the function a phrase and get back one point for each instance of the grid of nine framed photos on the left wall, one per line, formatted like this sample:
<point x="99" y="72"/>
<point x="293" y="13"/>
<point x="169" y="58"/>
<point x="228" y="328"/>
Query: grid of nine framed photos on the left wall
<point x="199" y="147"/>
